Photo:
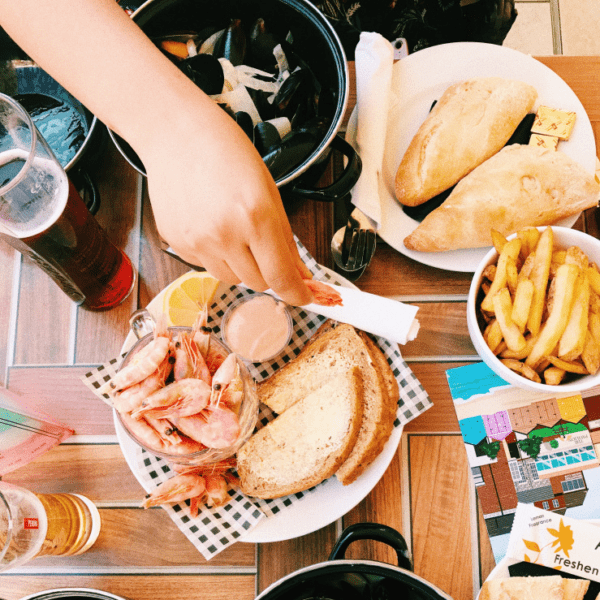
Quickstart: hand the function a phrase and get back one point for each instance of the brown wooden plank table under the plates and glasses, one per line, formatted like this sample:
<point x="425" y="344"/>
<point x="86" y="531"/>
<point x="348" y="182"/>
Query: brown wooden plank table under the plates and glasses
<point x="426" y="492"/>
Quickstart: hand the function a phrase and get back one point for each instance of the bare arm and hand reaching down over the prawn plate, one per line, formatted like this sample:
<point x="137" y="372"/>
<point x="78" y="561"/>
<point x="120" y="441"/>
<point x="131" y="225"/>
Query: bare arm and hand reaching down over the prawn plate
<point x="212" y="196"/>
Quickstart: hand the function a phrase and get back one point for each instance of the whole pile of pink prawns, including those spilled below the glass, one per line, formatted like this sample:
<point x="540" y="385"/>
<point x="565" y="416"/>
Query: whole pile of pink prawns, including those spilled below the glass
<point x="179" y="396"/>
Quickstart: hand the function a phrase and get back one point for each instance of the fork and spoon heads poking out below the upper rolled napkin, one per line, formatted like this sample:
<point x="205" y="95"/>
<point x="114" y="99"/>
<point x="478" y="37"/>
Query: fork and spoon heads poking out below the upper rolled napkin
<point x="354" y="245"/>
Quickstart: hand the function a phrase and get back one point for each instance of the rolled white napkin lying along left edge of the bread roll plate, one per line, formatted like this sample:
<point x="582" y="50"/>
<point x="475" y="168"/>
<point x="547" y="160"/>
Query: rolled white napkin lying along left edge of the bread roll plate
<point x="374" y="58"/>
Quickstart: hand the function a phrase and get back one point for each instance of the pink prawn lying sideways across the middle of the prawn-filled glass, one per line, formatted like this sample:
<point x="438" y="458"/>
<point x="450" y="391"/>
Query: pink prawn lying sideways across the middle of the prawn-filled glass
<point x="178" y="399"/>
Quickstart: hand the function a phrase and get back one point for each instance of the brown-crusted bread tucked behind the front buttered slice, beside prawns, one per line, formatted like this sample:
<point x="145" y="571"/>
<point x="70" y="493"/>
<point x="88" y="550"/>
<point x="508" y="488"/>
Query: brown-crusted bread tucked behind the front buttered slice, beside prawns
<point x="334" y="346"/>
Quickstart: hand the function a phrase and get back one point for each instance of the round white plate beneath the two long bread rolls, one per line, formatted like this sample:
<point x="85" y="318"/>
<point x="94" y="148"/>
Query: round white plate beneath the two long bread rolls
<point x="421" y="78"/>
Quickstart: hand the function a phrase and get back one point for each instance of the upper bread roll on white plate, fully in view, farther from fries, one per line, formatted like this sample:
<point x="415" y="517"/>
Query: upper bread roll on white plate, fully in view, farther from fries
<point x="471" y="122"/>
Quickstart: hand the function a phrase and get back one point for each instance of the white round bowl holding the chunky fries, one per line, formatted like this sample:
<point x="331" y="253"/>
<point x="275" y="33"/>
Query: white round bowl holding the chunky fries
<point x="563" y="238"/>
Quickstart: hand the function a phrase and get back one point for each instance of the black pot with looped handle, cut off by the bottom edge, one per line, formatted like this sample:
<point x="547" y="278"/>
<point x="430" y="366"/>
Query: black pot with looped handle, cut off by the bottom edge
<point x="341" y="579"/>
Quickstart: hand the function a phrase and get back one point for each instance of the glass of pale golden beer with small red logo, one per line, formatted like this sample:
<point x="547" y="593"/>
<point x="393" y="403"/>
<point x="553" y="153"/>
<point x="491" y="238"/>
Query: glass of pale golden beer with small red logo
<point x="33" y="525"/>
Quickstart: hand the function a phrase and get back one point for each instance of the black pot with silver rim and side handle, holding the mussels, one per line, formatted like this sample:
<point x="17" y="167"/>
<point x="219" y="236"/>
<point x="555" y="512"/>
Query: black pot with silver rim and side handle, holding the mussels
<point x="315" y="42"/>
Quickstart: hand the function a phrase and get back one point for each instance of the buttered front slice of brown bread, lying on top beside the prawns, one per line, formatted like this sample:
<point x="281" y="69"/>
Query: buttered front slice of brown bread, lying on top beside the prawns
<point x="307" y="443"/>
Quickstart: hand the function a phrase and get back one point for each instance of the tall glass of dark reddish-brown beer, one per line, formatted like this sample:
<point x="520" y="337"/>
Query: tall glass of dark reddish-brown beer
<point x="44" y="218"/>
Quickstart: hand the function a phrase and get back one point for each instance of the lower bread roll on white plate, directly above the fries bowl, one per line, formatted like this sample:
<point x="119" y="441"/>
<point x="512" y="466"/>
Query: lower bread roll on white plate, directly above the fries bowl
<point x="518" y="187"/>
